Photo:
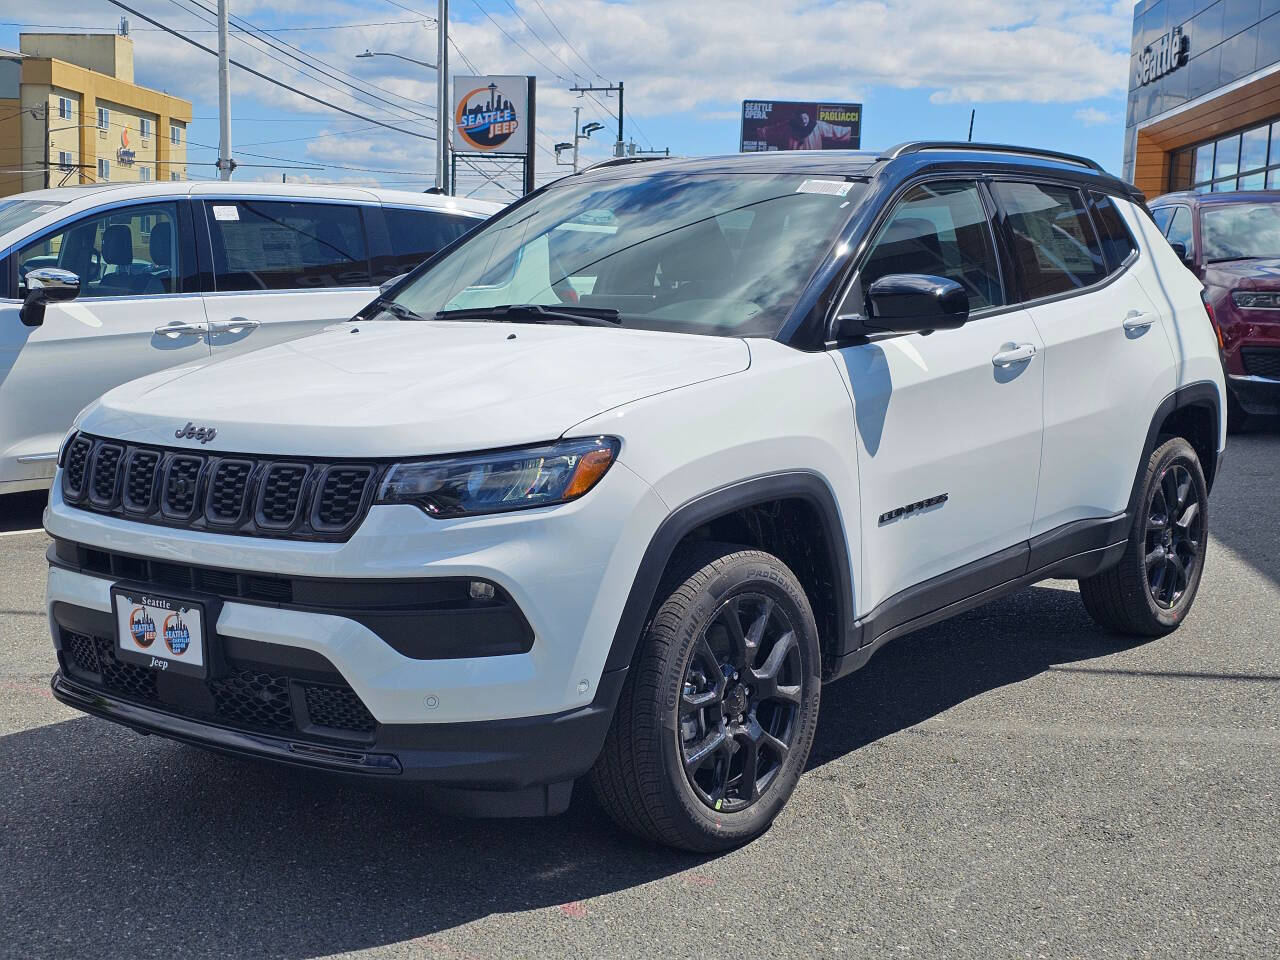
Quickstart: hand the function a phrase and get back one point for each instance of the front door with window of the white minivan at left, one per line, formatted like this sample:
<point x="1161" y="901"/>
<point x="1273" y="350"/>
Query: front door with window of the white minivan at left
<point x="139" y="312"/>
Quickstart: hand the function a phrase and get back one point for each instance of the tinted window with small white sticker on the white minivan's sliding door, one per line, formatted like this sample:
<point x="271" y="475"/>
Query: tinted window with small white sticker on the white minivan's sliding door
<point x="268" y="245"/>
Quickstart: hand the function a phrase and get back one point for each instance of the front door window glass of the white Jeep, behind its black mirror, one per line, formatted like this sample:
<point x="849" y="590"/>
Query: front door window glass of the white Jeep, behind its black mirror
<point x="939" y="230"/>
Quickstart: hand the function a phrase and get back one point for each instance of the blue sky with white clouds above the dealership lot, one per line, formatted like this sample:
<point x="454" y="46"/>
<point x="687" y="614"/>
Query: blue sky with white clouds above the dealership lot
<point x="1044" y="72"/>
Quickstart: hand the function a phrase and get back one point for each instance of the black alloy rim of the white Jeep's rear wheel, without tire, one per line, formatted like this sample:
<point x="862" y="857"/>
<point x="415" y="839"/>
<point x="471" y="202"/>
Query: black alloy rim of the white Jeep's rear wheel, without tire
<point x="1174" y="536"/>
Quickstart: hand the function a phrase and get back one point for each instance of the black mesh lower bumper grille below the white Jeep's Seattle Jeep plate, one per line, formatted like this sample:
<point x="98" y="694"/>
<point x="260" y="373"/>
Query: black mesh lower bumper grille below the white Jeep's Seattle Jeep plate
<point x="246" y="698"/>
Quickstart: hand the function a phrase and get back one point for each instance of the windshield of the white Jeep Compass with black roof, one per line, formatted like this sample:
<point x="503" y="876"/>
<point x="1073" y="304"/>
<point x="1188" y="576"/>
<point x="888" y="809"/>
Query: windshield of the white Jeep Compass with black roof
<point x="685" y="253"/>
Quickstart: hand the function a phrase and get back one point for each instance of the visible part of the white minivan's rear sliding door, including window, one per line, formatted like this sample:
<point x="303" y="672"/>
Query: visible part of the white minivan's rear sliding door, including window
<point x="282" y="269"/>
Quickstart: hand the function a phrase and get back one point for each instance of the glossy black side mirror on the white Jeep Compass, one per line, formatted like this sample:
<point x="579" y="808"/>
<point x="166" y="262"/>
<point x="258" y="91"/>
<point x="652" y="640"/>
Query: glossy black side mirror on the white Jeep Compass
<point x="907" y="304"/>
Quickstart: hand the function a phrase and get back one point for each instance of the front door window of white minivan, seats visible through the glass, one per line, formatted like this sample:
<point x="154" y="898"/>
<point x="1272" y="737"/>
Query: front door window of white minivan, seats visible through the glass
<point x="134" y="252"/>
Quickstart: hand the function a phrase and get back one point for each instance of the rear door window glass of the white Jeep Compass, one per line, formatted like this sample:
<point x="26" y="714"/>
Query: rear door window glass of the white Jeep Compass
<point x="1054" y="244"/>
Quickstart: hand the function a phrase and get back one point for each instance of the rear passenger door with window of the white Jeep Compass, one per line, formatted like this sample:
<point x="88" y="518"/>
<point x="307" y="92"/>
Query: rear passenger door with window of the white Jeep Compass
<point x="1108" y="363"/>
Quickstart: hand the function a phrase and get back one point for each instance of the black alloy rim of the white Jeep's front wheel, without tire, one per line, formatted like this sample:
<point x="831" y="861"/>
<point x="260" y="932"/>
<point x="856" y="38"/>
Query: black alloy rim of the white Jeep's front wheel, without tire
<point x="740" y="702"/>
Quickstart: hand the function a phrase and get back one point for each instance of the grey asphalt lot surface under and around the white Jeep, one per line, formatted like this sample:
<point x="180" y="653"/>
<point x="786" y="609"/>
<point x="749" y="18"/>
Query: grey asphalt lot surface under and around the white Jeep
<point x="1012" y="784"/>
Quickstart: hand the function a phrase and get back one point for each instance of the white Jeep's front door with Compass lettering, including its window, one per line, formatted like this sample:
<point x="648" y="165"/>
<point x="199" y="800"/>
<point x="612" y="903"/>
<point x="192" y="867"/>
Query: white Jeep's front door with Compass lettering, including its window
<point x="949" y="424"/>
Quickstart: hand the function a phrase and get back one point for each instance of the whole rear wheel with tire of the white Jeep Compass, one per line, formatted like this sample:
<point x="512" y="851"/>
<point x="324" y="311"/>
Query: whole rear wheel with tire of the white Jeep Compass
<point x="1153" y="588"/>
